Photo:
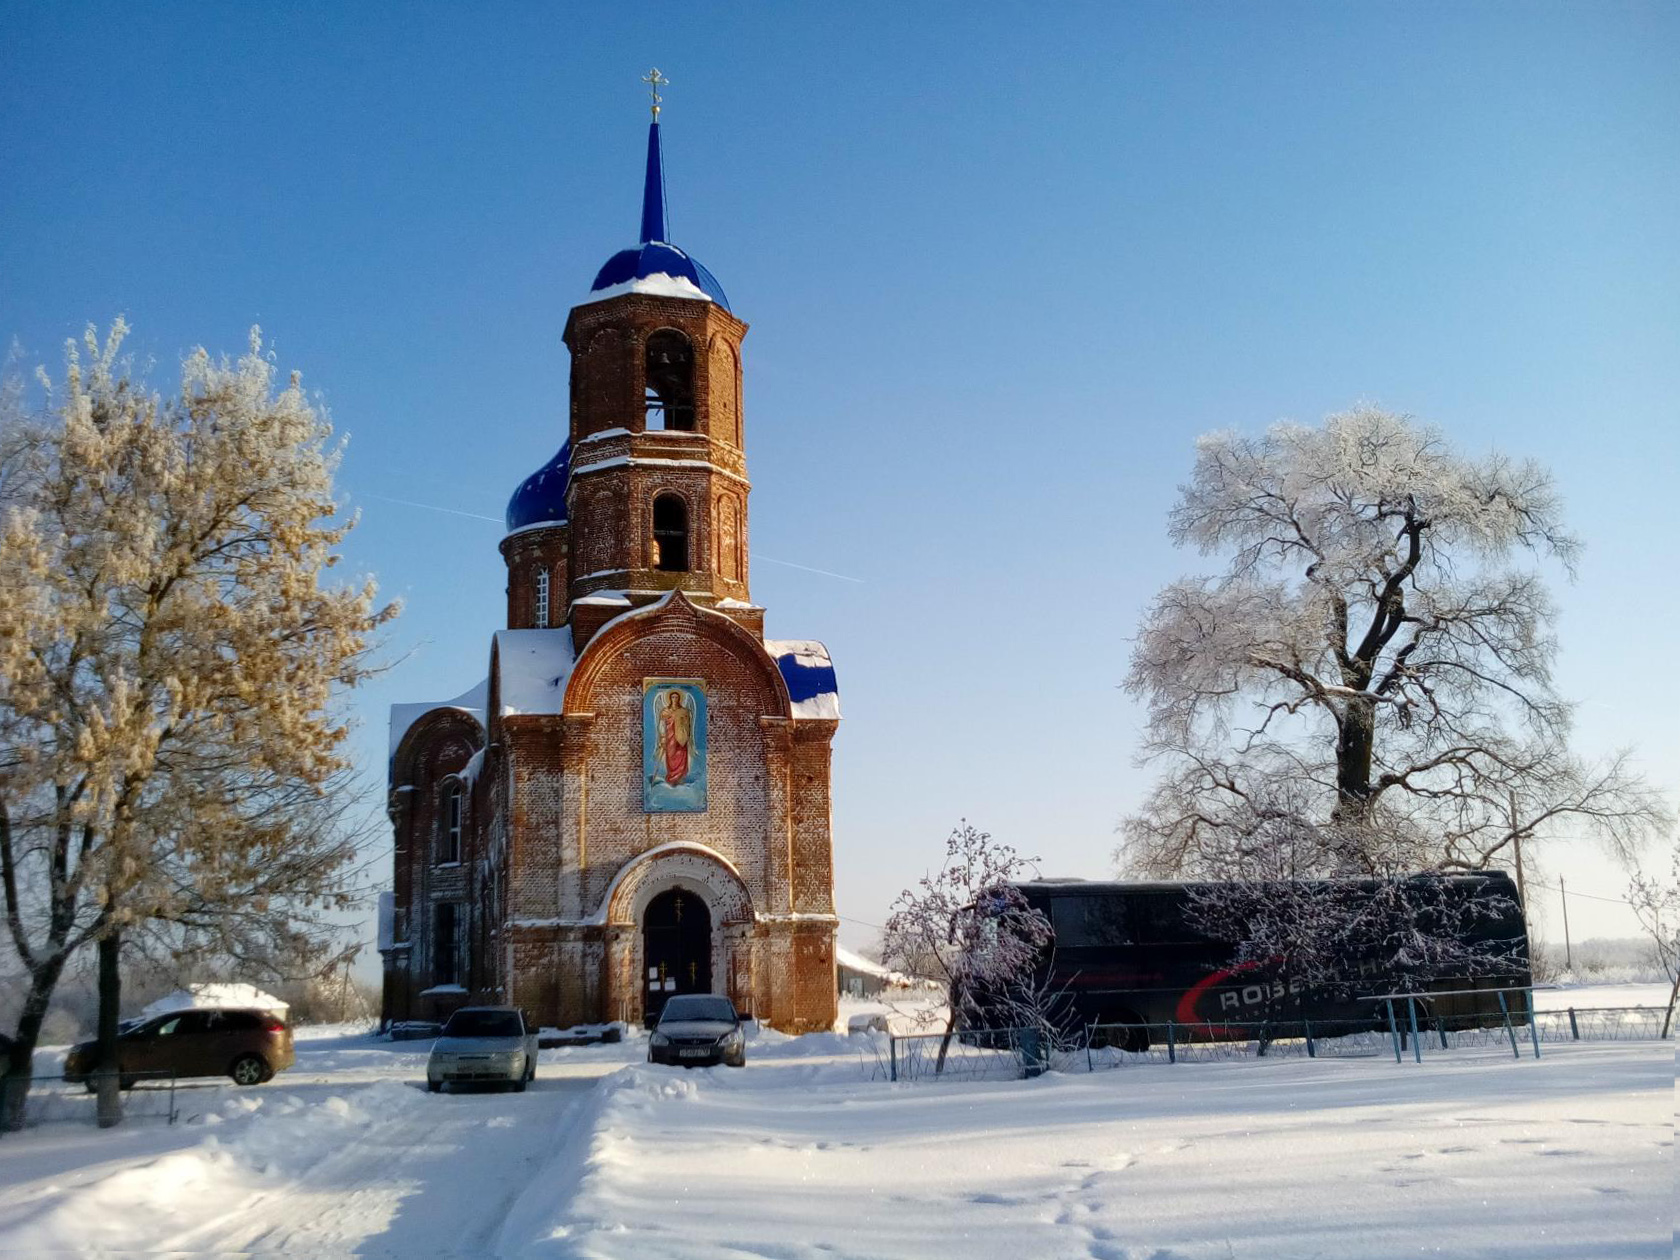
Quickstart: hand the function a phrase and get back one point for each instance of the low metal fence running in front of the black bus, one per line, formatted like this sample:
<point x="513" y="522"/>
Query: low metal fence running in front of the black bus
<point x="1012" y="1054"/>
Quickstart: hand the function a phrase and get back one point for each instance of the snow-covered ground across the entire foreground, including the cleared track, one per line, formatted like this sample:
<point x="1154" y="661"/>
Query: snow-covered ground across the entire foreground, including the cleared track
<point x="1469" y="1155"/>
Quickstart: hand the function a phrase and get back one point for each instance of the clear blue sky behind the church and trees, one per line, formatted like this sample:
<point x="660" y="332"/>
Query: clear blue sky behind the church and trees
<point x="1002" y="266"/>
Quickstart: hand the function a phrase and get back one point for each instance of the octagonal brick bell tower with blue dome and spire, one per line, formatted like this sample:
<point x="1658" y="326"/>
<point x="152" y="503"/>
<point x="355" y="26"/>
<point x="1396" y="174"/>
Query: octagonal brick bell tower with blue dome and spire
<point x="658" y="495"/>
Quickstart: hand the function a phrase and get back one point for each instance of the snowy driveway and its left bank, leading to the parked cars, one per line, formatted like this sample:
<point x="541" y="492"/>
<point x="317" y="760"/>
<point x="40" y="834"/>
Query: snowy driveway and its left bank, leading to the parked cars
<point x="345" y="1157"/>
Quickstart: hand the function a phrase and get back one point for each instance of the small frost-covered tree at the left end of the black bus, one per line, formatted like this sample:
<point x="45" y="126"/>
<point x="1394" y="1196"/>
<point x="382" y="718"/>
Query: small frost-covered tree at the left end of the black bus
<point x="969" y="927"/>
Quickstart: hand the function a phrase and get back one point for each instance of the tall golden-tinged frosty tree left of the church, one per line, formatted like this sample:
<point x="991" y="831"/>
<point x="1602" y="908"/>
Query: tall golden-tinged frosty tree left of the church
<point x="171" y="663"/>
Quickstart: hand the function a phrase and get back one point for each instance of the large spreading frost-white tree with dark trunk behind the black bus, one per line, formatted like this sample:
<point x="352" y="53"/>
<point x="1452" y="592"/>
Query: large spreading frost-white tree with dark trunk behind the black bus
<point x="1365" y="688"/>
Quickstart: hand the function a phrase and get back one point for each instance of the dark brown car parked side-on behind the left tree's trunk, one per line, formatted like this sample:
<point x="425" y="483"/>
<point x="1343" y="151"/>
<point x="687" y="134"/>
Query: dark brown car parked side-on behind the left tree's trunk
<point x="248" y="1046"/>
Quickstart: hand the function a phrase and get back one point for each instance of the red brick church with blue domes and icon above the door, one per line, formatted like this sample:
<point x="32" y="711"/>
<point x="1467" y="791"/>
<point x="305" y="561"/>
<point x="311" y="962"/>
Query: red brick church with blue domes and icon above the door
<point x="636" y="802"/>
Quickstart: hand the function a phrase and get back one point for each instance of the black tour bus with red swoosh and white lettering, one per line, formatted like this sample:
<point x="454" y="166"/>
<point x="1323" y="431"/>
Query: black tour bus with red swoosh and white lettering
<point x="1130" y="960"/>
